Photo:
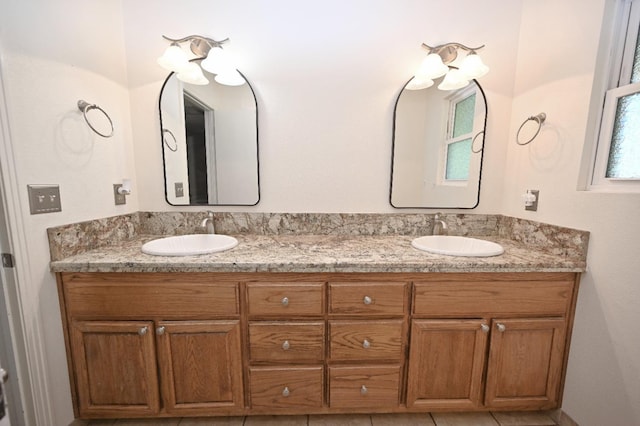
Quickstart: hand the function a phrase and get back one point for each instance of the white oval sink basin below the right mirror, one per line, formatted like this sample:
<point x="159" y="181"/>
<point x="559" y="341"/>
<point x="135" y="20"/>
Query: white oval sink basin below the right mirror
<point x="452" y="245"/>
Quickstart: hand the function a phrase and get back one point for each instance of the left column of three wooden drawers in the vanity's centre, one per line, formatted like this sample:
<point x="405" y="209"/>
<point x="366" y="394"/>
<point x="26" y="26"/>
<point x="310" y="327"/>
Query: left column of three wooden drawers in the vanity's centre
<point x="286" y="345"/>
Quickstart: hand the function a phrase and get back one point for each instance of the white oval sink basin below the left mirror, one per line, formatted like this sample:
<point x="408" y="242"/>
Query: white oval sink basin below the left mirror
<point x="186" y="245"/>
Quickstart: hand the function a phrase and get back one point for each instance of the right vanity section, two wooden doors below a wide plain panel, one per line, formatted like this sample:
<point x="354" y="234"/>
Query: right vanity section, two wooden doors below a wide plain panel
<point x="493" y="341"/>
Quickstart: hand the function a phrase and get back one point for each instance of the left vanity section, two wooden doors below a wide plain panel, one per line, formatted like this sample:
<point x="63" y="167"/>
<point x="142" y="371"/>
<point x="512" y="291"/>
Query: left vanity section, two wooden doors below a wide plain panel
<point x="145" y="344"/>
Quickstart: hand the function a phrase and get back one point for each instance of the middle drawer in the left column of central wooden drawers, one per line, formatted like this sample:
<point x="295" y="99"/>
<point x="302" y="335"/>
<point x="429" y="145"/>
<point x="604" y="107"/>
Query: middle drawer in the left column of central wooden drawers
<point x="286" y="341"/>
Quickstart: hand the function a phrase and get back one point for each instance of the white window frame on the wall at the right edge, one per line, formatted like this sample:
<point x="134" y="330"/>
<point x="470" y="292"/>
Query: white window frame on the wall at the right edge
<point x="623" y="43"/>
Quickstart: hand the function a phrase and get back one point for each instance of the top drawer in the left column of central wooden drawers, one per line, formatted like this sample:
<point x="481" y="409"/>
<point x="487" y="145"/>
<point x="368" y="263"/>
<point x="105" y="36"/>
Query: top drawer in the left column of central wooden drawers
<point x="277" y="299"/>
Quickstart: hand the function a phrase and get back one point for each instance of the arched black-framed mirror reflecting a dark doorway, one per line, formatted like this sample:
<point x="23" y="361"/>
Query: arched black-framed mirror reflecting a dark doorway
<point x="209" y="143"/>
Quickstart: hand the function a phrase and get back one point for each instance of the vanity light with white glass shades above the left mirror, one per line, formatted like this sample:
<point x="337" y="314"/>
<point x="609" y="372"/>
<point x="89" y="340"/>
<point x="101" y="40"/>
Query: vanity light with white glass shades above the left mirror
<point x="214" y="60"/>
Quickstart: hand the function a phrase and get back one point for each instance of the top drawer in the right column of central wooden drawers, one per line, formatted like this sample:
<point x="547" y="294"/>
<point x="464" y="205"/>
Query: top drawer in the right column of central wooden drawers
<point x="373" y="298"/>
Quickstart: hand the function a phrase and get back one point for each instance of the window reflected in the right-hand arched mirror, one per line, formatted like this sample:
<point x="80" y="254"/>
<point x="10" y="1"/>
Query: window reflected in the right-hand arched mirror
<point x="459" y="137"/>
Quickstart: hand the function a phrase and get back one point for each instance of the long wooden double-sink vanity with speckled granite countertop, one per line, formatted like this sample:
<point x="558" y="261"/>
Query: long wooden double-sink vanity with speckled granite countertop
<point x="315" y="324"/>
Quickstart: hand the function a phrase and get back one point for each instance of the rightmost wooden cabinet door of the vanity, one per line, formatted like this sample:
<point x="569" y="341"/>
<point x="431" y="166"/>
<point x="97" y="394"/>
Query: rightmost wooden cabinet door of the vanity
<point x="525" y="363"/>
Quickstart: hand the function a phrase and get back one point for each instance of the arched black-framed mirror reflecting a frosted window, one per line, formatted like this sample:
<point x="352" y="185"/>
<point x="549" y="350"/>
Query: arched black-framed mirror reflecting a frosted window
<point x="438" y="142"/>
